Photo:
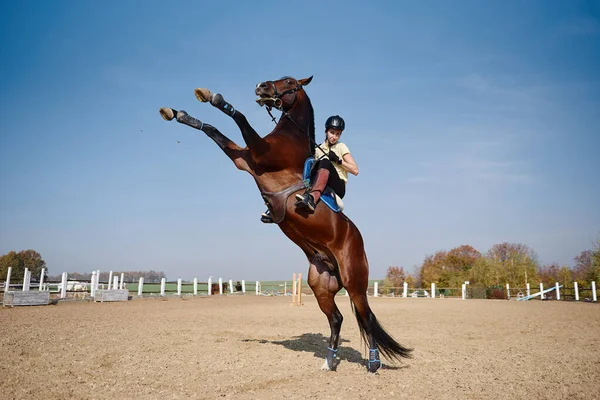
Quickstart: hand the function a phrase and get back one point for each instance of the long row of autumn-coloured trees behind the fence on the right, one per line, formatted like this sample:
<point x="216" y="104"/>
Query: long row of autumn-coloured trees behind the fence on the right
<point x="512" y="263"/>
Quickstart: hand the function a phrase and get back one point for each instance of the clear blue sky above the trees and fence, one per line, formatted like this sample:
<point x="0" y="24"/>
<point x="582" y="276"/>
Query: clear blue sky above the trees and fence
<point x="472" y="123"/>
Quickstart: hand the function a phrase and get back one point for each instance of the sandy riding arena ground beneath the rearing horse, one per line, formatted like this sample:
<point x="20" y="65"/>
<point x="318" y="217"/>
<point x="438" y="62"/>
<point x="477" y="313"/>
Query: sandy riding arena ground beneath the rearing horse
<point x="255" y="347"/>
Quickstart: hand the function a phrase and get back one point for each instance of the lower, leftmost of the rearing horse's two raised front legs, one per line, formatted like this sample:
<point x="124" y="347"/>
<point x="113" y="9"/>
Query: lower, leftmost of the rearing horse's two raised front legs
<point x="232" y="150"/>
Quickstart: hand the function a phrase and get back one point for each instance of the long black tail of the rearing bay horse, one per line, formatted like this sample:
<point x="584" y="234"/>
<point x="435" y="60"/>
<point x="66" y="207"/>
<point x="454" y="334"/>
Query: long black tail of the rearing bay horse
<point x="387" y="345"/>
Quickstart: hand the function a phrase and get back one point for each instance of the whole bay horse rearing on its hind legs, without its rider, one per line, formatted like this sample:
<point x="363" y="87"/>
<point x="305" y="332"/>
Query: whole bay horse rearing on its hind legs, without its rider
<point x="332" y="244"/>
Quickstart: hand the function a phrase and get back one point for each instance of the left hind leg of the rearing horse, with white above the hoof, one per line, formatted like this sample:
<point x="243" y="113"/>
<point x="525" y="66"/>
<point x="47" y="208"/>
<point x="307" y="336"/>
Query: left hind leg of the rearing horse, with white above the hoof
<point x="325" y="286"/>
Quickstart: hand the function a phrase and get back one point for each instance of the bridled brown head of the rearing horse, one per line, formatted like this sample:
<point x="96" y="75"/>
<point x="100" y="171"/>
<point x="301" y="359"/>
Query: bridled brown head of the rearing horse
<point x="281" y="94"/>
